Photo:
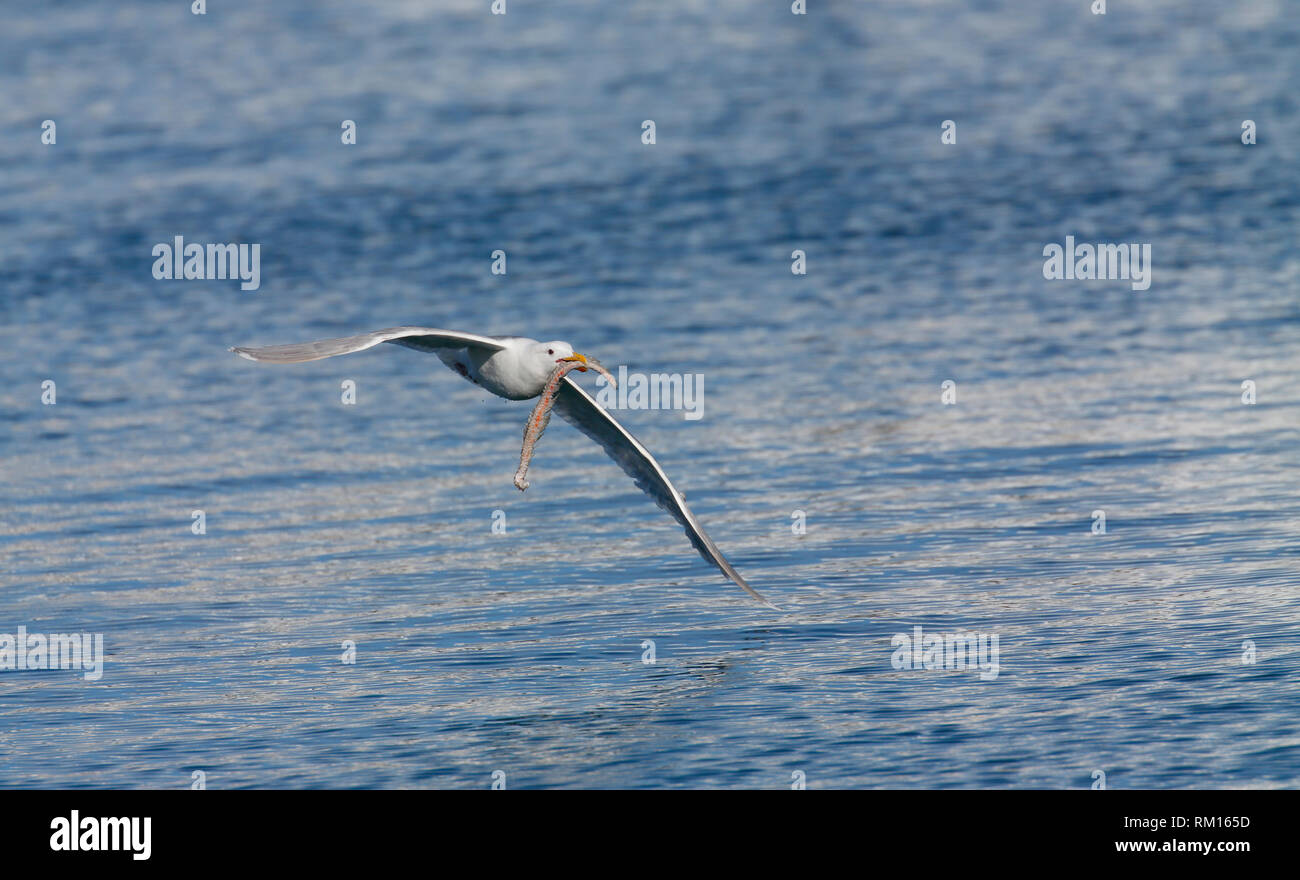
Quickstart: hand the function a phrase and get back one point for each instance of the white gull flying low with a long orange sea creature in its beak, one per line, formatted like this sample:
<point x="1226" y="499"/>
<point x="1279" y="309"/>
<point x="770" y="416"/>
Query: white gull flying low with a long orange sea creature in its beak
<point x="518" y="369"/>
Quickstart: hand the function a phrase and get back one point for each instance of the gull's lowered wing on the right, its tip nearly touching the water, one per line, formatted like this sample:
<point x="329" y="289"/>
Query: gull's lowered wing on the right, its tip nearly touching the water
<point x="578" y="409"/>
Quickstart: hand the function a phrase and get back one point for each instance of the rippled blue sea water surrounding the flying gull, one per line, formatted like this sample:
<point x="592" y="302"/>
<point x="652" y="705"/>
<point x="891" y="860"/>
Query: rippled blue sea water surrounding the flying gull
<point x="523" y="653"/>
